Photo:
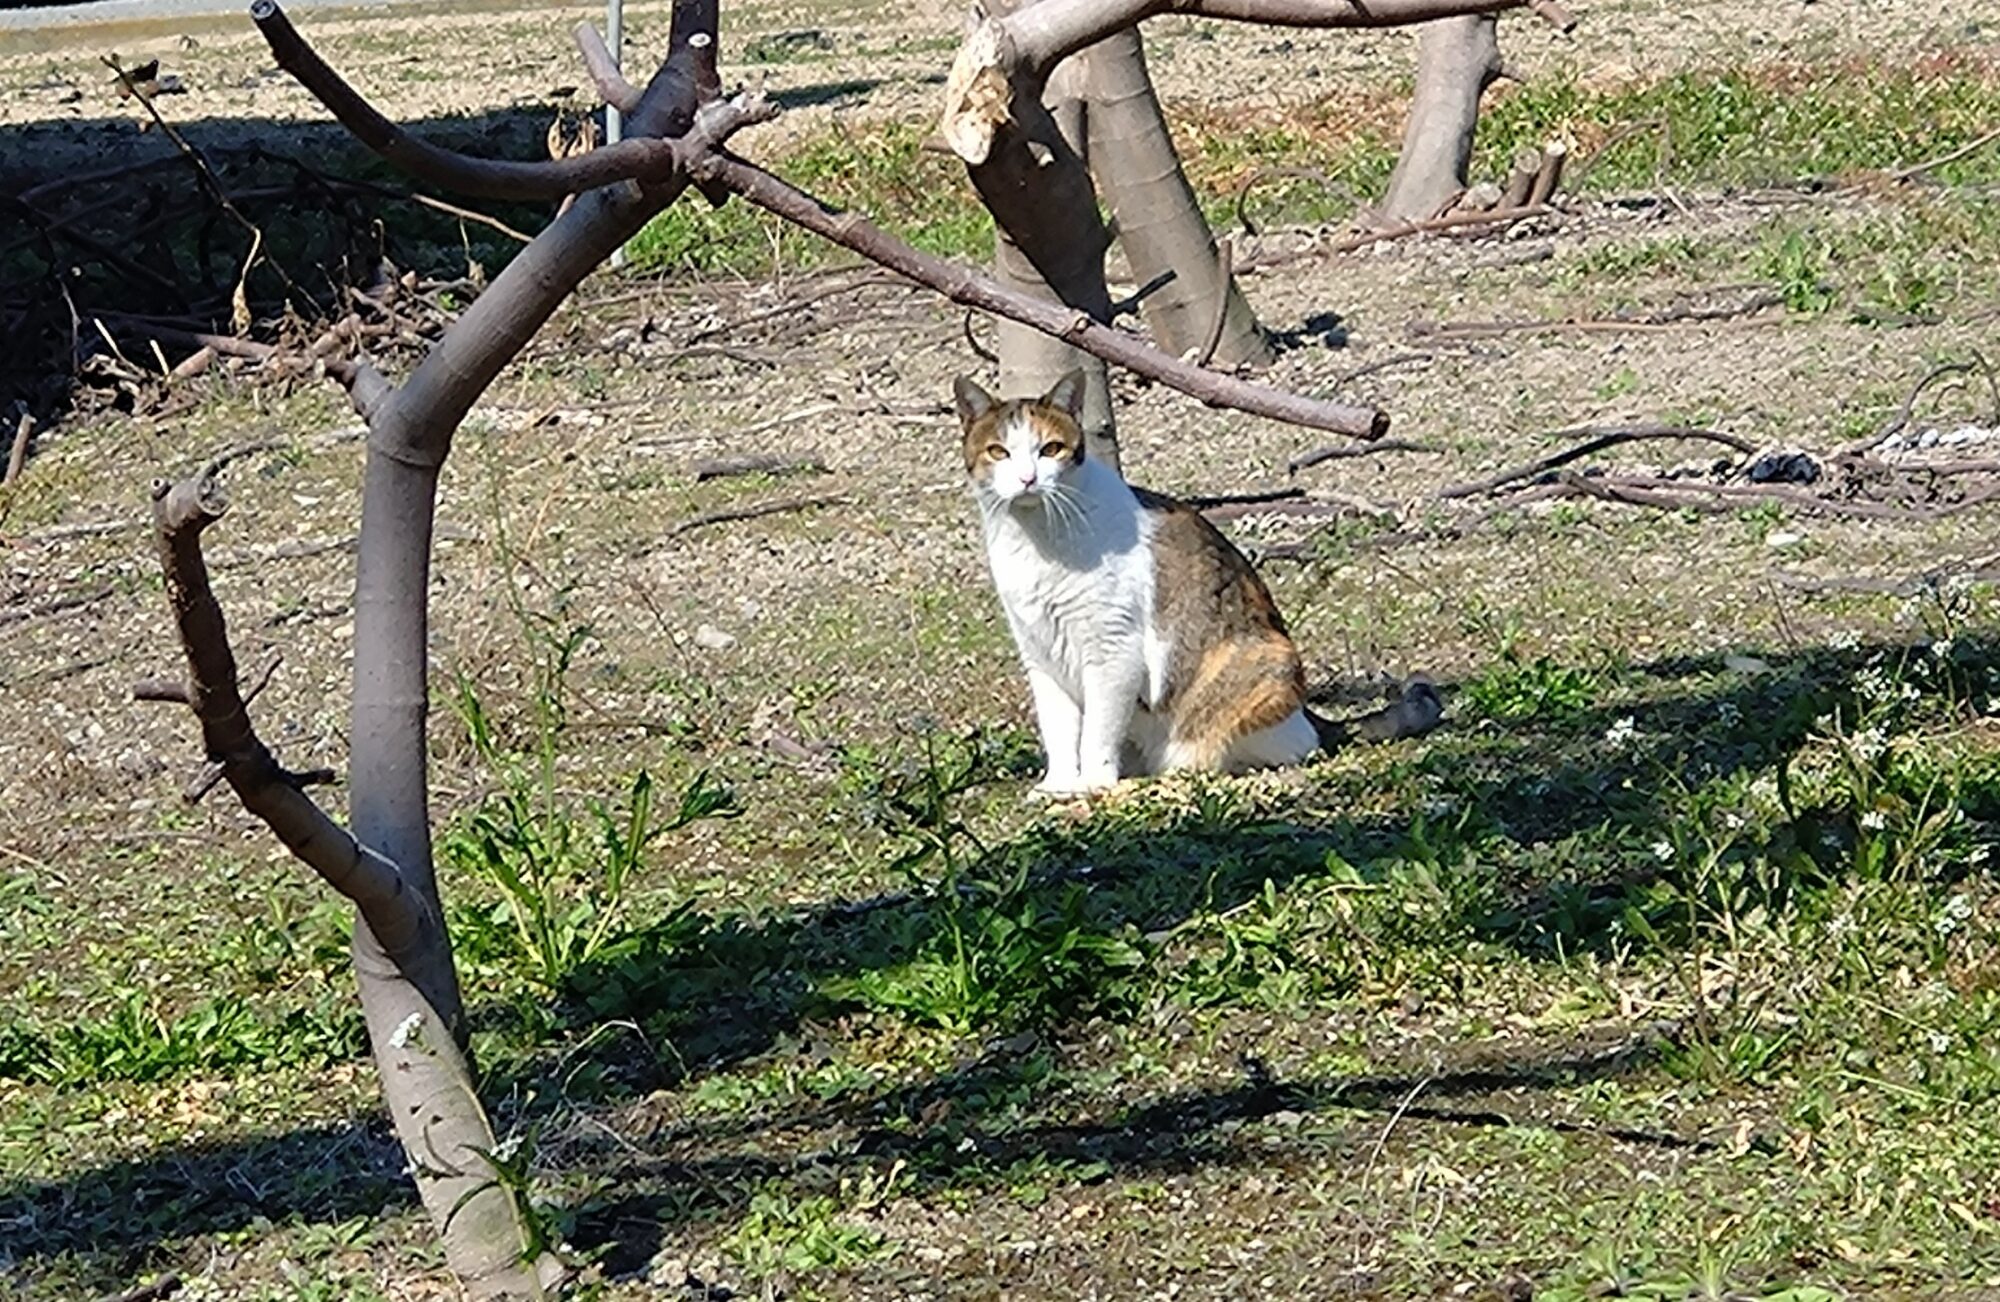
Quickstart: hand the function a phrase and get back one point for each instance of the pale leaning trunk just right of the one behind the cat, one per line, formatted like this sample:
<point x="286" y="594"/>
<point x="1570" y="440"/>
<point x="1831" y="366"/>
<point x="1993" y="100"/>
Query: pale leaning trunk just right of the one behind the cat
<point x="1159" y="221"/>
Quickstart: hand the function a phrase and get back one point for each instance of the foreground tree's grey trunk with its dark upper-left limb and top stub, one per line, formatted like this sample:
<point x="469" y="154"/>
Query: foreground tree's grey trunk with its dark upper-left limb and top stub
<point x="409" y="987"/>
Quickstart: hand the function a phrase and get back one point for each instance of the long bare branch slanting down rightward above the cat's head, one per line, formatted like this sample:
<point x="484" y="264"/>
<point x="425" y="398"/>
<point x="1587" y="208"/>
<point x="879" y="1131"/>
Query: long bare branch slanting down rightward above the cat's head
<point x="967" y="287"/>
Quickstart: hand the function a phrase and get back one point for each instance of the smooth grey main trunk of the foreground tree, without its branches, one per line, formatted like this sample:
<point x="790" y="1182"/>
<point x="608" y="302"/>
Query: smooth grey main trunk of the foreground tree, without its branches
<point x="411" y="1001"/>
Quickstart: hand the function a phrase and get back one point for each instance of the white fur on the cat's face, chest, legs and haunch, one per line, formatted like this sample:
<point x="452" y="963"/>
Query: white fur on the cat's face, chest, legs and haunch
<point x="1071" y="555"/>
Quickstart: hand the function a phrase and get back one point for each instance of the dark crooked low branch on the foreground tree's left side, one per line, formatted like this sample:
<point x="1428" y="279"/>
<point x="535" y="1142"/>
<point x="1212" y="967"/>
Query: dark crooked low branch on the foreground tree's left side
<point x="267" y="789"/>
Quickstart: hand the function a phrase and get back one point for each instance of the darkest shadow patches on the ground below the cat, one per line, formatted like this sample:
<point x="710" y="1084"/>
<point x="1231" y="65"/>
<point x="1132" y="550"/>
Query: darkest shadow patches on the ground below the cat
<point x="725" y="991"/>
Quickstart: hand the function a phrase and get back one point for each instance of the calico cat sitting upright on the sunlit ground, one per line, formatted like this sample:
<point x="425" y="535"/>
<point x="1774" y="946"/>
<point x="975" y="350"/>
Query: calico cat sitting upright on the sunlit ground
<point x="1151" y="645"/>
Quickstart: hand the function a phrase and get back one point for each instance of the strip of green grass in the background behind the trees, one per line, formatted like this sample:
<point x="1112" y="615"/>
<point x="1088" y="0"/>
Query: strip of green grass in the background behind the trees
<point x="1703" y="129"/>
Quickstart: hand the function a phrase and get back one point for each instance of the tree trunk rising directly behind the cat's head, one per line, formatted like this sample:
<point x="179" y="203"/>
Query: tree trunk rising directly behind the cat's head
<point x="1049" y="237"/>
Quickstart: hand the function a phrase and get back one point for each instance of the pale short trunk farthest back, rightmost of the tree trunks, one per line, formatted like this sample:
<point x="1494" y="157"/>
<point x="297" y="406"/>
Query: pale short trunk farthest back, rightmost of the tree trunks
<point x="1457" y="61"/>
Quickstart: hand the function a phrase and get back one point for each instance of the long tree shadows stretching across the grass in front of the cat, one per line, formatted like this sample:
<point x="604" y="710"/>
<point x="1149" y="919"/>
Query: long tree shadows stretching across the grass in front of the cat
<point x="1483" y="809"/>
